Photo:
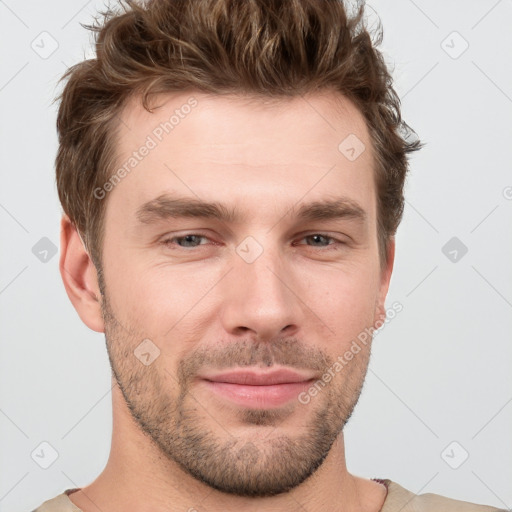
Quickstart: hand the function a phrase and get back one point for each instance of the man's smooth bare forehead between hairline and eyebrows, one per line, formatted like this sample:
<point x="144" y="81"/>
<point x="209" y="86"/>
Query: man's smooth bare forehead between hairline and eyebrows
<point x="235" y="149"/>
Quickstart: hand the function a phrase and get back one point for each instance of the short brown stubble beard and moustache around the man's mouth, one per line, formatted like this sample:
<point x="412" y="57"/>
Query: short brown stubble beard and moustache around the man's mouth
<point x="187" y="435"/>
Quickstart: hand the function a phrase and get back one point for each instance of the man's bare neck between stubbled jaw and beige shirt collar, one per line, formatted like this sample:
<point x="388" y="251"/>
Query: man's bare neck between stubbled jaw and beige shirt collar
<point x="139" y="477"/>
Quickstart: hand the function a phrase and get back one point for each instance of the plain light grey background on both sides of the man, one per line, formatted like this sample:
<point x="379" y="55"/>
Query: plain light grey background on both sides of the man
<point x="440" y="371"/>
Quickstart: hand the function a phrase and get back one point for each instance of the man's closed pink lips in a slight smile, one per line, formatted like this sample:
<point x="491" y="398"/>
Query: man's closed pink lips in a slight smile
<point x="258" y="389"/>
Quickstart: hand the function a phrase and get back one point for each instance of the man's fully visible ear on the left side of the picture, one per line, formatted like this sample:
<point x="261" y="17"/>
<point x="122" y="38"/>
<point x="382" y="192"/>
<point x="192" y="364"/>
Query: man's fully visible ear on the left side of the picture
<point x="80" y="277"/>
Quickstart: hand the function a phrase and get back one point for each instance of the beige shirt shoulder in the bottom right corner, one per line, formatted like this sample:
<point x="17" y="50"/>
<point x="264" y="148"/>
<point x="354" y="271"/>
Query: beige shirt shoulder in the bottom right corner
<point x="399" y="498"/>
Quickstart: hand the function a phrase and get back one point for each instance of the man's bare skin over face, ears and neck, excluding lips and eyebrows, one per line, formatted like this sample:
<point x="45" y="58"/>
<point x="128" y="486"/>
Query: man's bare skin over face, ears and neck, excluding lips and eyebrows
<point x="313" y="287"/>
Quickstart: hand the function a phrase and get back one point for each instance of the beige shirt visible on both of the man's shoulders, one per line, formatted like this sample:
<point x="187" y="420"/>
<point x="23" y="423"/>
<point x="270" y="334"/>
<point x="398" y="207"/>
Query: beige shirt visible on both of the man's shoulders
<point x="398" y="499"/>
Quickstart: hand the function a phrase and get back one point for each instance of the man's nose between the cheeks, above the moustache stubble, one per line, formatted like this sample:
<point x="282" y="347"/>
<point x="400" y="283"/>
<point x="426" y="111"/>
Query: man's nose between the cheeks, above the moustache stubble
<point x="260" y="298"/>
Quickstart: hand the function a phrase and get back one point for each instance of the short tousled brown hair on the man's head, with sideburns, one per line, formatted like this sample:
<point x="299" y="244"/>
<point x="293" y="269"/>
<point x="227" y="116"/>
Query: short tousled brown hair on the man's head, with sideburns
<point x="261" y="48"/>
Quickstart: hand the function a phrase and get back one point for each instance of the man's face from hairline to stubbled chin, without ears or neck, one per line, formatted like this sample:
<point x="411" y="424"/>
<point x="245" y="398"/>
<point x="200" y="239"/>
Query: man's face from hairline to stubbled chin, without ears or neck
<point x="266" y="290"/>
